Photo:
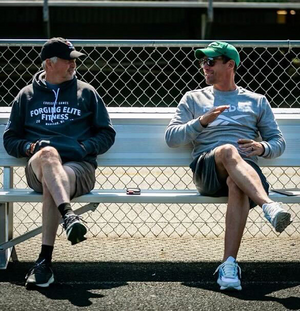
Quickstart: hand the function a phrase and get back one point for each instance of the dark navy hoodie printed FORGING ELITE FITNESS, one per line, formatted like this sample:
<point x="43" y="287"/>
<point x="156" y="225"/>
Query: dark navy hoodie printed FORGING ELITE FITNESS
<point x="73" y="119"/>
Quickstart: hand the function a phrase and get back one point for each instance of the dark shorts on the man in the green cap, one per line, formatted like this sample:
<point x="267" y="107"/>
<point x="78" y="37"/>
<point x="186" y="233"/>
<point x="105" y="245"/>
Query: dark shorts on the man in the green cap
<point x="206" y="179"/>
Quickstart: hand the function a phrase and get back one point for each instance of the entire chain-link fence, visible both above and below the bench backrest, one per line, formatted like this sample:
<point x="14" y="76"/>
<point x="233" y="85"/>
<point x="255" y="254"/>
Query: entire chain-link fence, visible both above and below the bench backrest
<point x="157" y="74"/>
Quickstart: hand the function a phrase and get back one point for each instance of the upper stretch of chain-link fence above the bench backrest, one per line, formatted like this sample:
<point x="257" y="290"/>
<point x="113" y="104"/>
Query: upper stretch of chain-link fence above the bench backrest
<point x="157" y="73"/>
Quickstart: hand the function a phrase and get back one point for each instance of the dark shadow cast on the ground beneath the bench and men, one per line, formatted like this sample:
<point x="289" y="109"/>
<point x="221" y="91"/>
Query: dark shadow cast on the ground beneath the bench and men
<point x="75" y="282"/>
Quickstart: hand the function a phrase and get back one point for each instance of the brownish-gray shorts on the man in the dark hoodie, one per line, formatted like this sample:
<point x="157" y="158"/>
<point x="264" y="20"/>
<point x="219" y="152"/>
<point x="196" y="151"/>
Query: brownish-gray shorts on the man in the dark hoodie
<point x="84" y="172"/>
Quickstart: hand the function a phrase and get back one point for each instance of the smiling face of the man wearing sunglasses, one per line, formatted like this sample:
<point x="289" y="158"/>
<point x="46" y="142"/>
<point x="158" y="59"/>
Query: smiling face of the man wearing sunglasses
<point x="214" y="70"/>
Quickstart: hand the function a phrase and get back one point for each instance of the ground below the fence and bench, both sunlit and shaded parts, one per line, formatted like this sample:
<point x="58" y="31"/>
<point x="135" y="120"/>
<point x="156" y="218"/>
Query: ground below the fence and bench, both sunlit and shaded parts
<point x="156" y="274"/>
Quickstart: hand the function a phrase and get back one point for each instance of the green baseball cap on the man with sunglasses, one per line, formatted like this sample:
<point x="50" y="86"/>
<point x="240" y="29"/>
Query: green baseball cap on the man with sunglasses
<point x="219" y="48"/>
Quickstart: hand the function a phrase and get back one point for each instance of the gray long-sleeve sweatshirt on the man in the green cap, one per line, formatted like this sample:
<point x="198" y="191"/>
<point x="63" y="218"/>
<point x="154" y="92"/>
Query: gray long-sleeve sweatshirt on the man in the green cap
<point x="249" y="116"/>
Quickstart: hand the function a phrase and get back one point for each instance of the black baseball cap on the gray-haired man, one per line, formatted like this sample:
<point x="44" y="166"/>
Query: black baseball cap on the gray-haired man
<point x="59" y="47"/>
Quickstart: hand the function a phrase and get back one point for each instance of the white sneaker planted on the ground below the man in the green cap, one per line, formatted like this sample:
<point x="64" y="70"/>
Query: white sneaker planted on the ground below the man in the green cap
<point x="229" y="275"/>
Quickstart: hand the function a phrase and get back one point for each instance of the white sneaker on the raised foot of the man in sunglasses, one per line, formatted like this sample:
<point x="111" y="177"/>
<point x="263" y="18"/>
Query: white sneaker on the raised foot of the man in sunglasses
<point x="277" y="216"/>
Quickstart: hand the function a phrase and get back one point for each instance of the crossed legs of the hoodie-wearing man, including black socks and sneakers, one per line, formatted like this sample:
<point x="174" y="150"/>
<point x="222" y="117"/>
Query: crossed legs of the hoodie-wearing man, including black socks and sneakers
<point x="58" y="183"/>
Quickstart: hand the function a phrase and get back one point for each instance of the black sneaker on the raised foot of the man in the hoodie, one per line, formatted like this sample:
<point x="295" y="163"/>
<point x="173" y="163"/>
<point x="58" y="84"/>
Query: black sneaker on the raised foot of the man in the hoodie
<point x="75" y="229"/>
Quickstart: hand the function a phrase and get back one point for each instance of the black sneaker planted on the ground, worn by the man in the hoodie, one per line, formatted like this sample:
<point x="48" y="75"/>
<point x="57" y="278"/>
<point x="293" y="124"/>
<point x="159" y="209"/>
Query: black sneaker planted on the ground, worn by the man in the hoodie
<point x="40" y="275"/>
